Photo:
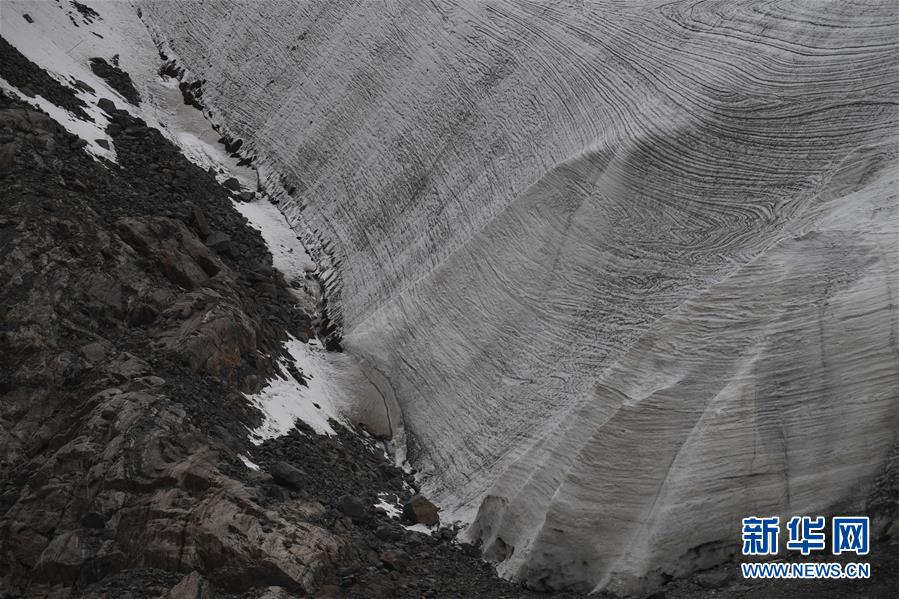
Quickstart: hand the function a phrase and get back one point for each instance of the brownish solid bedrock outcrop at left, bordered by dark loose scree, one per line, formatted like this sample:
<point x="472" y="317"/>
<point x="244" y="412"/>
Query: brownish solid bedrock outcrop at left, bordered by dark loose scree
<point x="104" y="468"/>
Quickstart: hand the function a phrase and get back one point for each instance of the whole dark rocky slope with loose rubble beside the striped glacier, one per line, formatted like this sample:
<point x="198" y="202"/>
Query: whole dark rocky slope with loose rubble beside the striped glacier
<point x="138" y="306"/>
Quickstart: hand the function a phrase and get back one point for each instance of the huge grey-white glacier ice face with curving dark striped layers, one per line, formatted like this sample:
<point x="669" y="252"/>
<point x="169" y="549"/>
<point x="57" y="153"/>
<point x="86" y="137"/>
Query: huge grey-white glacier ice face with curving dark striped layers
<point x="631" y="271"/>
